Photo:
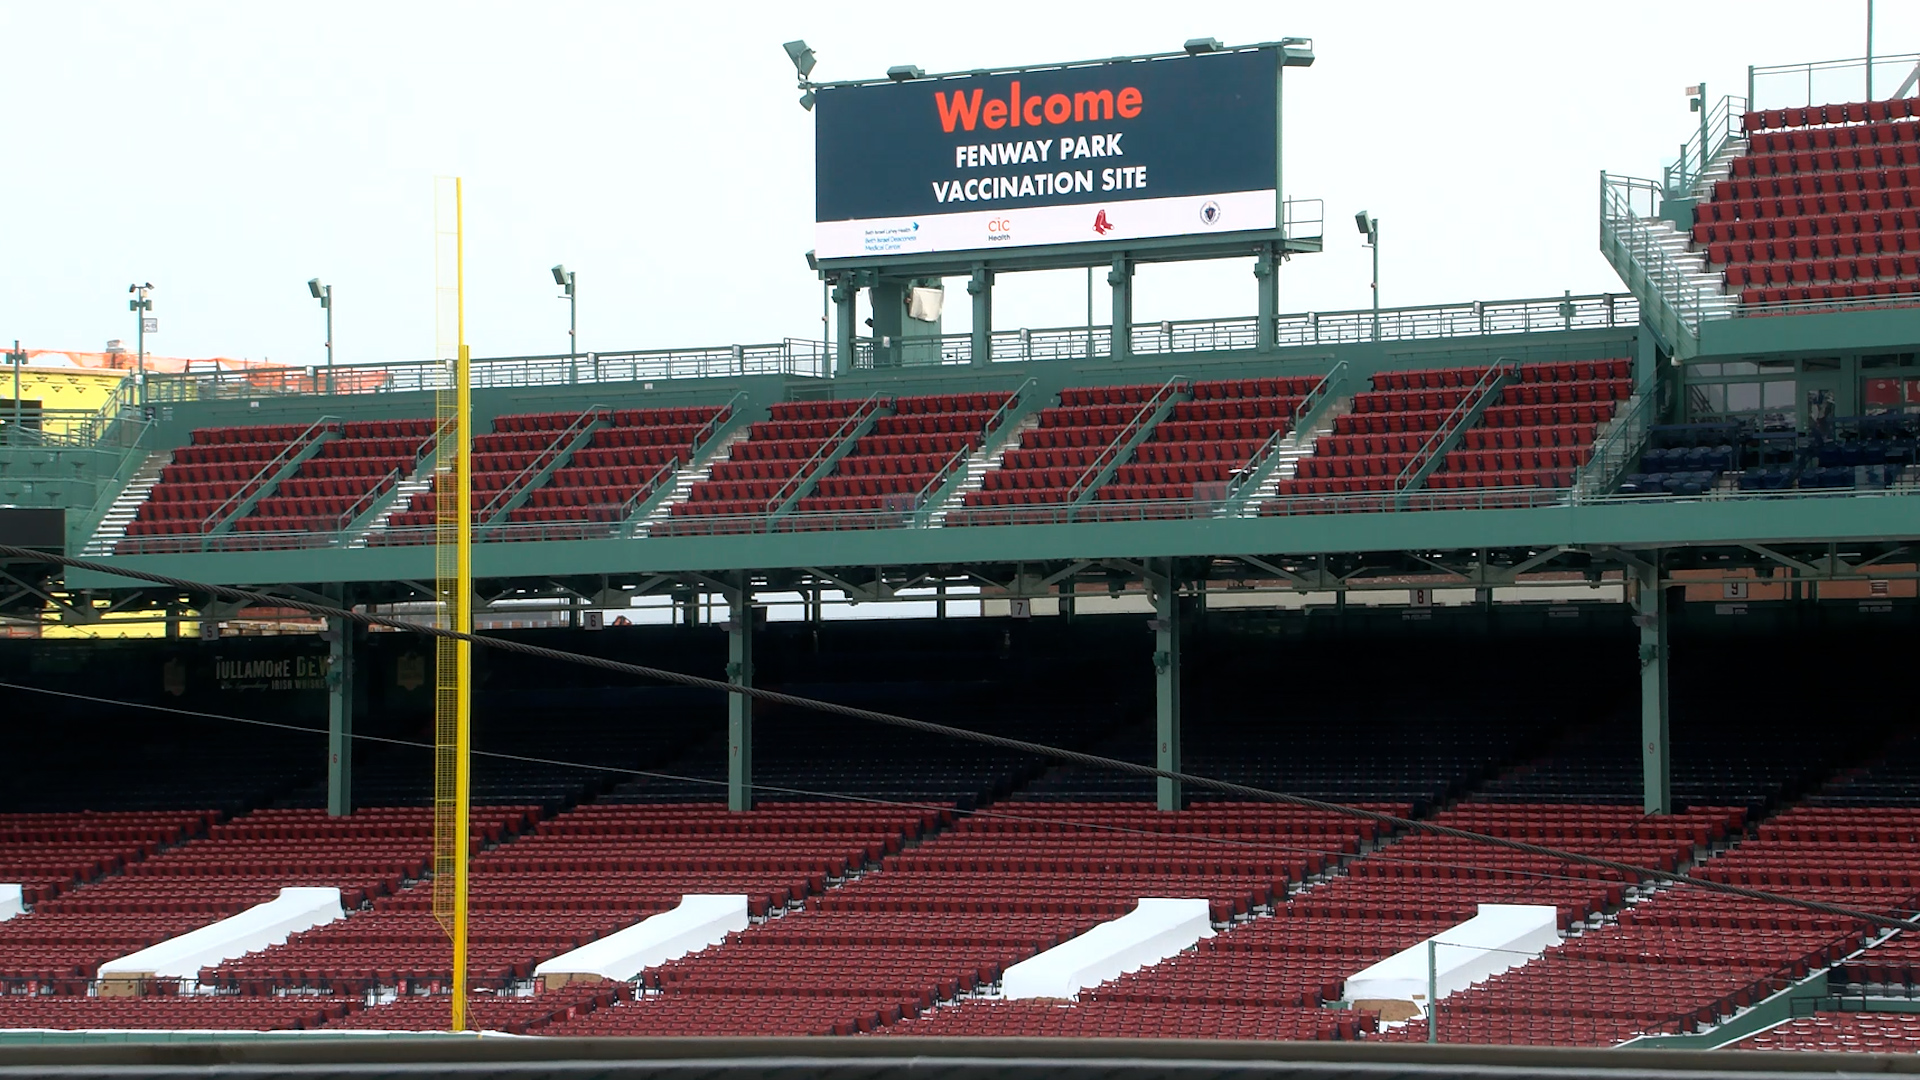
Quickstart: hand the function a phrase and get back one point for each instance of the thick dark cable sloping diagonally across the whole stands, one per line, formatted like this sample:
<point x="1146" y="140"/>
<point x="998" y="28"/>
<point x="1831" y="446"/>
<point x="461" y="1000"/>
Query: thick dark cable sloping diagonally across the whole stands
<point x="948" y="731"/>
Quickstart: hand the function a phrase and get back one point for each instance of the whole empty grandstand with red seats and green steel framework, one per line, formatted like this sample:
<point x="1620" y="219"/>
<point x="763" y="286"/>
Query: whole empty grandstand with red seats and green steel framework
<point x="1353" y="633"/>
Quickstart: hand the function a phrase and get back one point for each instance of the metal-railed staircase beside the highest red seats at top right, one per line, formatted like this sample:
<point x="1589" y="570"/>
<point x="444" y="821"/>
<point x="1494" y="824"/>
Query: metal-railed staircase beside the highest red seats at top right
<point x="1631" y="228"/>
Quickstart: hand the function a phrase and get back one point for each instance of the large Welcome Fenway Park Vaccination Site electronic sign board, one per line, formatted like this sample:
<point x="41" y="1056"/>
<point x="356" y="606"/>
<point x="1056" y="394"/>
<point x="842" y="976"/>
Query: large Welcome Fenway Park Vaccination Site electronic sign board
<point x="1103" y="153"/>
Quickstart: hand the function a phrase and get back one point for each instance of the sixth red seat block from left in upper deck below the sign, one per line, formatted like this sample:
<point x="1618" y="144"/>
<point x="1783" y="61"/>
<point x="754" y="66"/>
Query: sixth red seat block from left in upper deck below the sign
<point x="905" y="456"/>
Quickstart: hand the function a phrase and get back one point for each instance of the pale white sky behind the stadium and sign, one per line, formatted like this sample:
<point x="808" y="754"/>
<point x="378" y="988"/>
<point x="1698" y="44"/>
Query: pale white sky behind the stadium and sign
<point x="228" y="153"/>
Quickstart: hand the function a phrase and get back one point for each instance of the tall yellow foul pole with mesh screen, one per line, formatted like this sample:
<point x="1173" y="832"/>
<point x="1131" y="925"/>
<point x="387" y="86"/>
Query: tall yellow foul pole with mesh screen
<point x="454" y="587"/>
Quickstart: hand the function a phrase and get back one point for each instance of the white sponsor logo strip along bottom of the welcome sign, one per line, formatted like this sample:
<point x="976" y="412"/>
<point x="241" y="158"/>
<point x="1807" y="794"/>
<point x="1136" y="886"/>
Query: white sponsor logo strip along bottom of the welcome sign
<point x="1034" y="226"/>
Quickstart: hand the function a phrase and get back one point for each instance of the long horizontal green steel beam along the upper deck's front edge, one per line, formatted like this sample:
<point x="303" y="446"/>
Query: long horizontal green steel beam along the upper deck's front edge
<point x="1618" y="524"/>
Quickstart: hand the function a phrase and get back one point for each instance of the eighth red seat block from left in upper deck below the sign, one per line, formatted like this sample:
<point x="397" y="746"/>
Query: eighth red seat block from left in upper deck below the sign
<point x="1209" y="441"/>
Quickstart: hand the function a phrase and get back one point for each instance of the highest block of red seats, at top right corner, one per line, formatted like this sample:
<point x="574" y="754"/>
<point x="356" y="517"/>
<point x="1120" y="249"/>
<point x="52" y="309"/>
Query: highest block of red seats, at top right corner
<point x="1821" y="207"/>
